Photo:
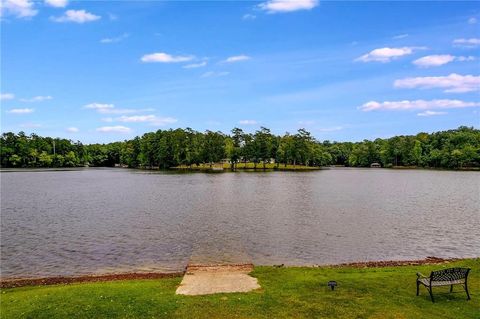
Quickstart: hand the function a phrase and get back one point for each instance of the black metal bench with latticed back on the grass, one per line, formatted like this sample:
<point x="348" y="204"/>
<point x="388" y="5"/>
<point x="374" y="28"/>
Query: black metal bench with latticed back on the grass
<point x="446" y="277"/>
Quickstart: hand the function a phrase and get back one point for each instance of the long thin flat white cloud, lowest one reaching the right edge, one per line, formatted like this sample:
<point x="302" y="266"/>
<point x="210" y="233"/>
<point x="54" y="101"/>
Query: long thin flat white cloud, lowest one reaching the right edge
<point x="407" y="105"/>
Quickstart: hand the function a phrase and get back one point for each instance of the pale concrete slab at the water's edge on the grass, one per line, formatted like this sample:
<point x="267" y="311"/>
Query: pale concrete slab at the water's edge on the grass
<point x="212" y="279"/>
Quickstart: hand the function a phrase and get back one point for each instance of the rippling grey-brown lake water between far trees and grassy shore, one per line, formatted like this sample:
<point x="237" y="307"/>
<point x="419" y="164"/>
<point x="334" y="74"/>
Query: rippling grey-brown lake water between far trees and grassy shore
<point x="110" y="220"/>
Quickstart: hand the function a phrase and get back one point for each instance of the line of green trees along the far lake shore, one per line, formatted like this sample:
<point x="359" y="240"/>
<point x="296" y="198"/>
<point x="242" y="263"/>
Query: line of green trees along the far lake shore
<point x="457" y="148"/>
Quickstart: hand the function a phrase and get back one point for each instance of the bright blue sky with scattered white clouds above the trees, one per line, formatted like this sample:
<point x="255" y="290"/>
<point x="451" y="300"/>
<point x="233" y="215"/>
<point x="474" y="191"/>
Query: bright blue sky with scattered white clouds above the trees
<point x="101" y="71"/>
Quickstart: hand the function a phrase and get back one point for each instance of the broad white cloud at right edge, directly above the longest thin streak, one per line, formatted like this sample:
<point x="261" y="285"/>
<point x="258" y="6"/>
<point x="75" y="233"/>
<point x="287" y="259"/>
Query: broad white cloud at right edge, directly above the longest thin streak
<point x="453" y="83"/>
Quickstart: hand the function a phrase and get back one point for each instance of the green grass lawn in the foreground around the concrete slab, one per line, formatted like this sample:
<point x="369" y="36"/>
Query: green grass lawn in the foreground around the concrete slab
<point x="286" y="293"/>
